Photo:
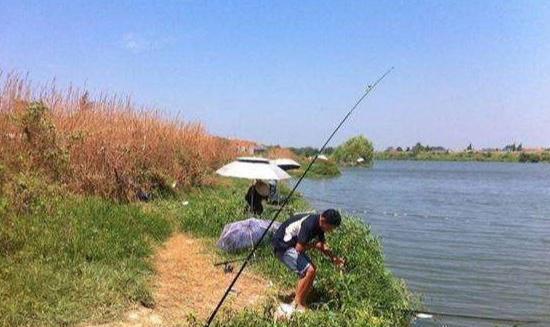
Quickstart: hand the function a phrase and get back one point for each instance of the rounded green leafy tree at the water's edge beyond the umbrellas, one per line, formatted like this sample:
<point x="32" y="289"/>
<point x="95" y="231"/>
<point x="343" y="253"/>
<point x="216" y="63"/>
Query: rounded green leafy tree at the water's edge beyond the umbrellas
<point x="353" y="149"/>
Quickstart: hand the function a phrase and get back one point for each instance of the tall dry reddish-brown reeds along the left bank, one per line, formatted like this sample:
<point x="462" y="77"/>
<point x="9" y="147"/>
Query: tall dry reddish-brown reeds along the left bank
<point x="103" y="145"/>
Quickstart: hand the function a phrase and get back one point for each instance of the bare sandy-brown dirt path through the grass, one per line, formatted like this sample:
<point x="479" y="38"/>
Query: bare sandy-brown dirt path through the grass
<point x="188" y="283"/>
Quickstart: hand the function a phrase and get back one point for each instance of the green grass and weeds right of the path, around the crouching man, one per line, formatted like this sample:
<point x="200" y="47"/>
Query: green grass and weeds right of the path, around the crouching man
<point x="366" y="294"/>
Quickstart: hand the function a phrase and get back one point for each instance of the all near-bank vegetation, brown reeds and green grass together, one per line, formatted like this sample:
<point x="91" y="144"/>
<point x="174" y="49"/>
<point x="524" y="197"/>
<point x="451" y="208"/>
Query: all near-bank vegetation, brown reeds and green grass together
<point x="76" y="244"/>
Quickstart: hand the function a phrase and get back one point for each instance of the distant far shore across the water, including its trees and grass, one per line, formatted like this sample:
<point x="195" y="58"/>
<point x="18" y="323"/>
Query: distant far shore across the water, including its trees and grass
<point x="510" y="153"/>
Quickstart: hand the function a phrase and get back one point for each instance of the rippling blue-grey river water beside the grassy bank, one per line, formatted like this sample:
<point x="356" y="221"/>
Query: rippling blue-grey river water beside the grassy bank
<point x="469" y="238"/>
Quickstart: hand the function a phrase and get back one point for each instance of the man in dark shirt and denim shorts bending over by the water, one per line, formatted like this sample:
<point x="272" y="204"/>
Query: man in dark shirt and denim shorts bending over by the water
<point x="293" y="238"/>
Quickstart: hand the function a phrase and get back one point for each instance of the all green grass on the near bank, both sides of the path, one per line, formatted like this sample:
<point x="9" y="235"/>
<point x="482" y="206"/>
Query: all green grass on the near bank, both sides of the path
<point x="66" y="260"/>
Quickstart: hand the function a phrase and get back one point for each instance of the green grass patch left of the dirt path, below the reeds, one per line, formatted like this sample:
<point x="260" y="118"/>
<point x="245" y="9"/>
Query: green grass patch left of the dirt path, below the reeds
<point x="84" y="259"/>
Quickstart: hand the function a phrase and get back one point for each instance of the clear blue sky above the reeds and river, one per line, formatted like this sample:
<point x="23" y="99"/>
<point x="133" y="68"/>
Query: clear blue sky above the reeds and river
<point x="283" y="72"/>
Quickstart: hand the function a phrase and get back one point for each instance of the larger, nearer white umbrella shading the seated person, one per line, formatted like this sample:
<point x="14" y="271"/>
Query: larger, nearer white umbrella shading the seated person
<point x="253" y="168"/>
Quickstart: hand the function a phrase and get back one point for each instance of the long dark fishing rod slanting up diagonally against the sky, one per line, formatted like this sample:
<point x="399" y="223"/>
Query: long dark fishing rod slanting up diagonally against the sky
<point x="369" y="89"/>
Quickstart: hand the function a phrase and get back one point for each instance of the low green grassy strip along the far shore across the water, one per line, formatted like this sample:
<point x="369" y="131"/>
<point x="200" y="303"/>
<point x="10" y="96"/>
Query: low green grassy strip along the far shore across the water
<point x="497" y="156"/>
